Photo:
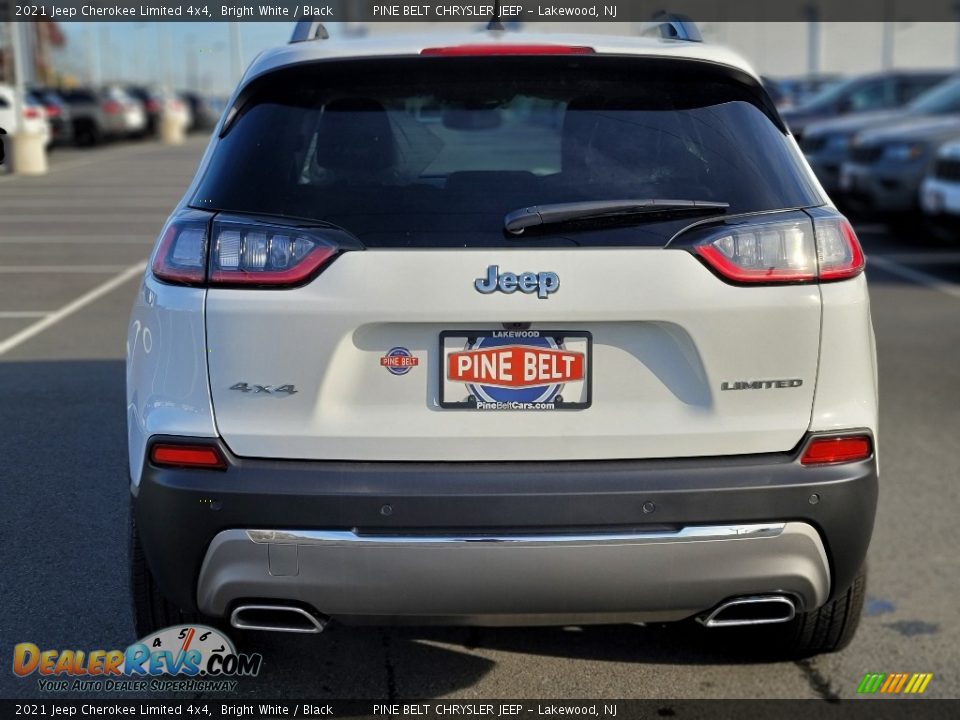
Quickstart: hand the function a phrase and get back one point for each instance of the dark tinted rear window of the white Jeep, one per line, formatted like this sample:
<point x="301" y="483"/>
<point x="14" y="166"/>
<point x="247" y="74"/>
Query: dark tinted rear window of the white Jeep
<point x="428" y="152"/>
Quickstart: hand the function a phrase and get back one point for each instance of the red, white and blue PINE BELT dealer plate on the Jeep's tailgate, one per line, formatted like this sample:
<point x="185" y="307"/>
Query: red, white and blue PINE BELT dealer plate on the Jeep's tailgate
<point x="515" y="369"/>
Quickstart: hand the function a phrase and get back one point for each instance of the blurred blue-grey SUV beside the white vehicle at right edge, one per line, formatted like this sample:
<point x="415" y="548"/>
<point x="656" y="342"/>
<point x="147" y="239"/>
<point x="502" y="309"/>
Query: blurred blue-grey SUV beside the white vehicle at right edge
<point x="887" y="165"/>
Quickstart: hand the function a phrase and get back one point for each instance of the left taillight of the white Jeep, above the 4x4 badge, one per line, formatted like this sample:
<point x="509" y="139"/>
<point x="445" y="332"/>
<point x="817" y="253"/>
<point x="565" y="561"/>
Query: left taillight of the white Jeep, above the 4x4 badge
<point x="240" y="254"/>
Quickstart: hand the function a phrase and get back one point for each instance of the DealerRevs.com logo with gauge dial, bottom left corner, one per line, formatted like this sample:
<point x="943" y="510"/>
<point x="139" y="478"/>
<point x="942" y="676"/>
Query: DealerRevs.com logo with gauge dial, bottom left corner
<point x="185" y="658"/>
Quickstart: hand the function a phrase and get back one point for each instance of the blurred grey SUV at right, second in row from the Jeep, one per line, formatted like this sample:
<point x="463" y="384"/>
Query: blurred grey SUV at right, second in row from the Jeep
<point x="827" y="144"/>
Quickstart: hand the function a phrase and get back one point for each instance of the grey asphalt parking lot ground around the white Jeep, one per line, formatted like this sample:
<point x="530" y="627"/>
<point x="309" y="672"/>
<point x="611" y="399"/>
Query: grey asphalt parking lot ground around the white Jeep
<point x="72" y="248"/>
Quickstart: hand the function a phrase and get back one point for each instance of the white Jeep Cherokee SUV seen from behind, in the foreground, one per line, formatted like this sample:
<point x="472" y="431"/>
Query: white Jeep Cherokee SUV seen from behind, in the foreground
<point x="502" y="329"/>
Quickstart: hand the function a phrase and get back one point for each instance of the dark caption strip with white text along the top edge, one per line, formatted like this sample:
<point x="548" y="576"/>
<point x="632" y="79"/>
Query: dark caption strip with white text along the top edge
<point x="512" y="12"/>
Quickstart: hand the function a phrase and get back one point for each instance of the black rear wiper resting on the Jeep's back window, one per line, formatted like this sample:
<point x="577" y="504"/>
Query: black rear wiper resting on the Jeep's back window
<point x="519" y="220"/>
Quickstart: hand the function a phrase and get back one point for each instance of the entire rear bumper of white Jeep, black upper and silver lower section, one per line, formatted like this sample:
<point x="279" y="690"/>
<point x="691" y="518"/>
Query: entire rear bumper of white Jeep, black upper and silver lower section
<point x="602" y="540"/>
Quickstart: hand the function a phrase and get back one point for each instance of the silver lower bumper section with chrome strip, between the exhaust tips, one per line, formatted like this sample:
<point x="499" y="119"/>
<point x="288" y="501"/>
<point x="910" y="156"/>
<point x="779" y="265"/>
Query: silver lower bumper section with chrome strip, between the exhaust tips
<point x="502" y="579"/>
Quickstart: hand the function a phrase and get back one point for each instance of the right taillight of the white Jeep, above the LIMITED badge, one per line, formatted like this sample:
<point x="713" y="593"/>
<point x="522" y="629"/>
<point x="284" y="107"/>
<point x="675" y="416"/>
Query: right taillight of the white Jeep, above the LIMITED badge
<point x="790" y="251"/>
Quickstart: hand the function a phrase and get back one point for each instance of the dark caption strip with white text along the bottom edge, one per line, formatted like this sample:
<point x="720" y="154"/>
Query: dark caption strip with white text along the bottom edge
<point x="855" y="709"/>
